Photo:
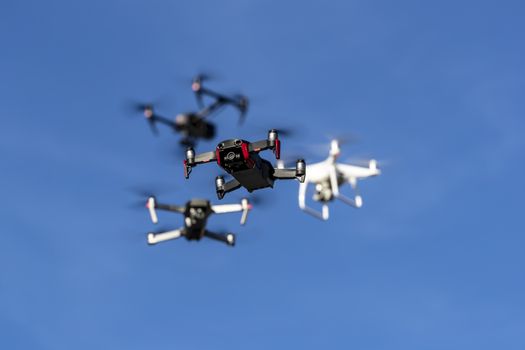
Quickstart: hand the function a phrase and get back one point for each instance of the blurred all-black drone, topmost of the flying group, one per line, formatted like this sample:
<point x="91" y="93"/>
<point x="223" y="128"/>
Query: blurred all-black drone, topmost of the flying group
<point x="194" y="125"/>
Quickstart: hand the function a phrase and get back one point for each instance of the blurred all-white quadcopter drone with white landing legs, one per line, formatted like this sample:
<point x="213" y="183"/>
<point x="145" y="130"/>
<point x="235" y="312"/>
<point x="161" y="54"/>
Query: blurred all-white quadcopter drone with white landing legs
<point x="328" y="176"/>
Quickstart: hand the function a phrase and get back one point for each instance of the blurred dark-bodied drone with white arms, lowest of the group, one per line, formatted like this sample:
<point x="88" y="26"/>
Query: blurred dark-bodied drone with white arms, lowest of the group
<point x="196" y="213"/>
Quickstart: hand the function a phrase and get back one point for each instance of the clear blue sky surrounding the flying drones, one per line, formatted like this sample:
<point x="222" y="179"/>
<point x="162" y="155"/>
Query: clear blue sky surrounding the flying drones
<point x="434" y="259"/>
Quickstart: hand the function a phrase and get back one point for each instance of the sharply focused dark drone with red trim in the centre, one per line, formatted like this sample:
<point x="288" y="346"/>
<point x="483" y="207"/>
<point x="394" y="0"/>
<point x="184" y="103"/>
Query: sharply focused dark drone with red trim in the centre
<point x="241" y="159"/>
